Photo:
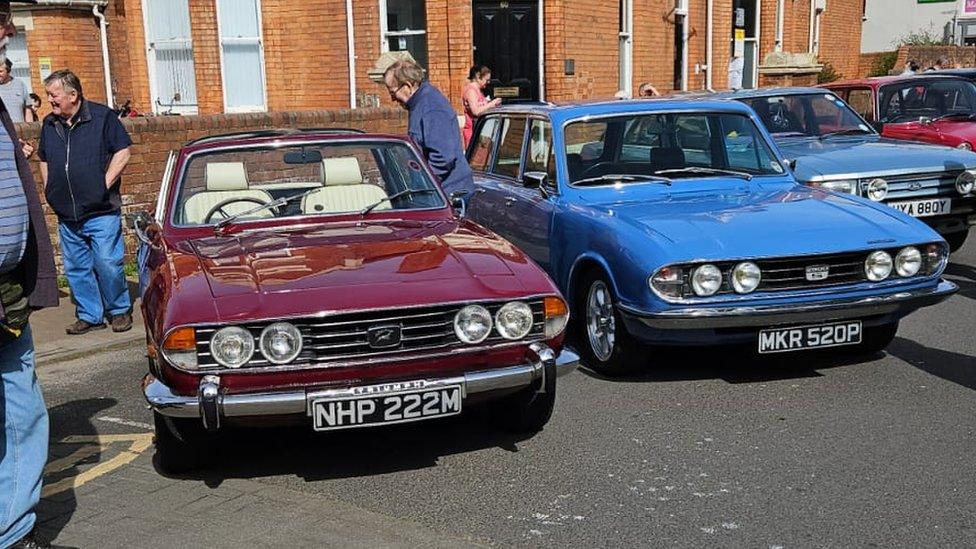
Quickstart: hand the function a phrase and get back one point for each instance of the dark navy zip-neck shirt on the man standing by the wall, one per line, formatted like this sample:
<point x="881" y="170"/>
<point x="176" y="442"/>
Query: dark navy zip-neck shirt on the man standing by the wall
<point x="77" y="158"/>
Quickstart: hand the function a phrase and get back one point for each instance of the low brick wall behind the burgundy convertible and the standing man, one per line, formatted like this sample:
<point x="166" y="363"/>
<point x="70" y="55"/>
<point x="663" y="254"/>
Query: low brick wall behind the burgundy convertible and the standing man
<point x="154" y="137"/>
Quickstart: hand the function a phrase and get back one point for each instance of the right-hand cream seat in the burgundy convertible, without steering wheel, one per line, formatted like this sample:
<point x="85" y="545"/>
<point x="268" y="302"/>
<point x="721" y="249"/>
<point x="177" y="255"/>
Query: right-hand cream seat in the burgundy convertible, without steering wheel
<point x="343" y="189"/>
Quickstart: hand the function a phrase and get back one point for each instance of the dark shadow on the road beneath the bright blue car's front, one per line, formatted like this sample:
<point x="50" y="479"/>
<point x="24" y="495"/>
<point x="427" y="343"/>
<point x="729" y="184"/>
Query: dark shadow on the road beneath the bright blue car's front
<point x="735" y="365"/>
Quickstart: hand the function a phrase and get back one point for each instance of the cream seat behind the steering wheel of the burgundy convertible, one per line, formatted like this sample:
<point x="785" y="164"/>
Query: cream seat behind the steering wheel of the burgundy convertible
<point x="224" y="180"/>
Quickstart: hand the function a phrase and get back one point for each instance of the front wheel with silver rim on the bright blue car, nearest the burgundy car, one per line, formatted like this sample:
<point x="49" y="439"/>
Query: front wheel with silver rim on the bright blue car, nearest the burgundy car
<point x="601" y="336"/>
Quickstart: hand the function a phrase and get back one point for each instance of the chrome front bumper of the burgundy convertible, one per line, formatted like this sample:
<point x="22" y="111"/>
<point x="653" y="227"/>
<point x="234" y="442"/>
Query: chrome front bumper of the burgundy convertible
<point x="210" y="403"/>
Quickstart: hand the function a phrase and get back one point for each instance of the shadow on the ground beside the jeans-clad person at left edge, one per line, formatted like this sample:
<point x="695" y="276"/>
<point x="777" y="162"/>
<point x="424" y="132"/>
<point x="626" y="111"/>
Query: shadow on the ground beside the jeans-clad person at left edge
<point x="71" y="418"/>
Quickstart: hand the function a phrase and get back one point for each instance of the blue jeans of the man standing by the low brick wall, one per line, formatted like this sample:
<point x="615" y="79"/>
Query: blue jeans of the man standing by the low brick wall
<point x="92" y="251"/>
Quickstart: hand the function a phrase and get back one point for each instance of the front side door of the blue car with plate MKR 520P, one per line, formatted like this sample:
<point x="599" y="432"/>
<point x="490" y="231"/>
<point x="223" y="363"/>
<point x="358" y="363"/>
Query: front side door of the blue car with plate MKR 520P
<point x="529" y="208"/>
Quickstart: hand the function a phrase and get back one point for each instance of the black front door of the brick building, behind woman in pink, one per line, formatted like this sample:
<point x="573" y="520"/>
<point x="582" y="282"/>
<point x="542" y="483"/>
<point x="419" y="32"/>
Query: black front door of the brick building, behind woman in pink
<point x="506" y="40"/>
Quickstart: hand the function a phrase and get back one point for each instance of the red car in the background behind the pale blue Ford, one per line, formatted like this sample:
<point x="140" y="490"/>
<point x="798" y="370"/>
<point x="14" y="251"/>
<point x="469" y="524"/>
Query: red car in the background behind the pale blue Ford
<point x="932" y="108"/>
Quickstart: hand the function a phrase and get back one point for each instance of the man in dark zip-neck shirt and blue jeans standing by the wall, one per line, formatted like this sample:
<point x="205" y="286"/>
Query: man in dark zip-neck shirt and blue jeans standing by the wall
<point x="83" y="150"/>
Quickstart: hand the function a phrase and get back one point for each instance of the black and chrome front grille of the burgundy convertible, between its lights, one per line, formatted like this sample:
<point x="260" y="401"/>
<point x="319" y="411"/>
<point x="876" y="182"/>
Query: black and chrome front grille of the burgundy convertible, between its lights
<point x="342" y="338"/>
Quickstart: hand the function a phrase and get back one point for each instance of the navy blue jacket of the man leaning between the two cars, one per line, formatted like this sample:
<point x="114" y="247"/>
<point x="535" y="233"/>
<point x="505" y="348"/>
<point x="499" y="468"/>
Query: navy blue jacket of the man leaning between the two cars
<point x="433" y="125"/>
